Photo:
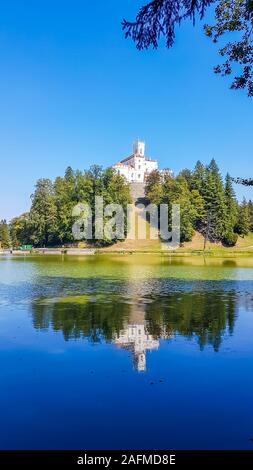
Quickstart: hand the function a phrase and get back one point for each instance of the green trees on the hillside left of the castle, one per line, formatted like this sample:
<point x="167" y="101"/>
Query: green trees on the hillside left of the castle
<point x="49" y="221"/>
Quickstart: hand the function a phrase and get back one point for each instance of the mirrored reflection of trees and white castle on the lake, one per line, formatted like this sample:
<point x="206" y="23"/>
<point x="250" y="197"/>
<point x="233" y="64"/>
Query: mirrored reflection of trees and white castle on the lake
<point x="139" y="324"/>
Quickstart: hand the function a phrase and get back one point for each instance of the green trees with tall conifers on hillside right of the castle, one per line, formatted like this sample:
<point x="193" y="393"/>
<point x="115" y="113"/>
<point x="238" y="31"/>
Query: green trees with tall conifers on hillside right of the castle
<point x="207" y="203"/>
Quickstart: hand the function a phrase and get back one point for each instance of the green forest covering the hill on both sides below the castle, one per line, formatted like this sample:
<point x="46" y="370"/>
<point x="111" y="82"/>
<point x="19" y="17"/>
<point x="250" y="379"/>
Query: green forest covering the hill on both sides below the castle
<point x="208" y="204"/>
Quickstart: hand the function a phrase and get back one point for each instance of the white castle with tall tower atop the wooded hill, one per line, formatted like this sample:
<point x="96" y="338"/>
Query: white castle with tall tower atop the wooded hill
<point x="137" y="166"/>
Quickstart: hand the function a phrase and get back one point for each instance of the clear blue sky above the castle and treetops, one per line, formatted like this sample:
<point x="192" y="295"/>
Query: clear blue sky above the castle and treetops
<point x="74" y="92"/>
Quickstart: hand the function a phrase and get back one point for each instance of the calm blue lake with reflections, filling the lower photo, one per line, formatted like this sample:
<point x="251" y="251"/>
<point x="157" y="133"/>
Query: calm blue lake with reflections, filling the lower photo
<point x="126" y="352"/>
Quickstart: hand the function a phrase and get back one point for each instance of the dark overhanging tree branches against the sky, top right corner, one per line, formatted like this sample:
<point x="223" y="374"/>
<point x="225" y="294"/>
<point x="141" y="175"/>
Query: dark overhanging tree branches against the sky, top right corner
<point x="160" y="18"/>
